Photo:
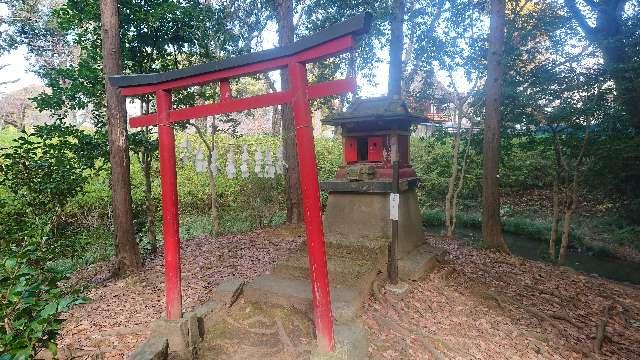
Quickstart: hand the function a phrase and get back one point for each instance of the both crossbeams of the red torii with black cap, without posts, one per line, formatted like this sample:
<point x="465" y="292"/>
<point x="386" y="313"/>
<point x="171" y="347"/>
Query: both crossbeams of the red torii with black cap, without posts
<point x="334" y="40"/>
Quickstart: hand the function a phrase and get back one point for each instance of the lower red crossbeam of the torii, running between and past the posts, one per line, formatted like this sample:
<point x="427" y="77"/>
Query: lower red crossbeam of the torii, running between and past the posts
<point x="327" y="88"/>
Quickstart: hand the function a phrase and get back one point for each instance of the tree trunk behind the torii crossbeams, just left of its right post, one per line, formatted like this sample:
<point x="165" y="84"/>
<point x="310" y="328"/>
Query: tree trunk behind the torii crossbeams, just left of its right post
<point x="292" y="179"/>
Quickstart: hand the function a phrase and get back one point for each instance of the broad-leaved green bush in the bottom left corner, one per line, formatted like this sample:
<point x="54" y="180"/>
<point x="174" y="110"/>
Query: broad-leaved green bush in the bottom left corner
<point x="31" y="301"/>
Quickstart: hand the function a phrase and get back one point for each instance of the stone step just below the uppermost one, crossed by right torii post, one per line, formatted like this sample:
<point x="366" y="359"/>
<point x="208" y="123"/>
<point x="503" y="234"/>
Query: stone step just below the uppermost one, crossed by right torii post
<point x="346" y="303"/>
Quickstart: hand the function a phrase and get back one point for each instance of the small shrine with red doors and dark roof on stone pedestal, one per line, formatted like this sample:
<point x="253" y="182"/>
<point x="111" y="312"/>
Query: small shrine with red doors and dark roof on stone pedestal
<point x="375" y="134"/>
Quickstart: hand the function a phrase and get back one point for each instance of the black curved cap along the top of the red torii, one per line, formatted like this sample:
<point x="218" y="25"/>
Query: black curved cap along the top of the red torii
<point x="356" y="25"/>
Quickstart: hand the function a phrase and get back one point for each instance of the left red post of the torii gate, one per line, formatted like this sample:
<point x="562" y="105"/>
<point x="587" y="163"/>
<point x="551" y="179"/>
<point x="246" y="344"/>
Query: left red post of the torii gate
<point x="170" y="227"/>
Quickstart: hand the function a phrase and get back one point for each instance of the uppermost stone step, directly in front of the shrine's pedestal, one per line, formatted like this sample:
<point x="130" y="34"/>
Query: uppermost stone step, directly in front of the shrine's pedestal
<point x="355" y="273"/>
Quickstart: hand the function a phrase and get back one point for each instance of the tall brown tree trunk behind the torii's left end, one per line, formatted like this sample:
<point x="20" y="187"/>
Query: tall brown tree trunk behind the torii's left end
<point x="127" y="251"/>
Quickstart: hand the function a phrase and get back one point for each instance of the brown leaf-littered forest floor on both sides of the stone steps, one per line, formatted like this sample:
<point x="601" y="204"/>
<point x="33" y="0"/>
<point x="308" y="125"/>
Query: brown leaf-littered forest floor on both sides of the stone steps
<point x="478" y="305"/>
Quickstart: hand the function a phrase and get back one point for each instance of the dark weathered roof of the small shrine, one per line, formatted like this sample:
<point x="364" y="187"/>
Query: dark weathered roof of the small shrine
<point x="384" y="108"/>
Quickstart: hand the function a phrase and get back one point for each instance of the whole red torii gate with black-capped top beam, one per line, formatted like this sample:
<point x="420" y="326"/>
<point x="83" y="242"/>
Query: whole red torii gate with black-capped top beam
<point x="337" y="39"/>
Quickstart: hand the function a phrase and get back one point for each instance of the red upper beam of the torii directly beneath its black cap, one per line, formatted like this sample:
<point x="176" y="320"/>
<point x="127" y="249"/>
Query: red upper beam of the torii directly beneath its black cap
<point x="320" y="52"/>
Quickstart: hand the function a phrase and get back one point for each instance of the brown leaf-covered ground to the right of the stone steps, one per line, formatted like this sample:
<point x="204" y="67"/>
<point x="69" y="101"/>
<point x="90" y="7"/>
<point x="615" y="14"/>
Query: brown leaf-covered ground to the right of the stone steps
<point x="483" y="305"/>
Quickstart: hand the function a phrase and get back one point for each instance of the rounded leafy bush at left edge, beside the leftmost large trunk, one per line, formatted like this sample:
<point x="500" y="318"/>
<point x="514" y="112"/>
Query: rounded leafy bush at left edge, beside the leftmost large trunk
<point x="40" y="173"/>
